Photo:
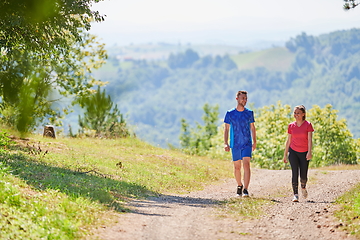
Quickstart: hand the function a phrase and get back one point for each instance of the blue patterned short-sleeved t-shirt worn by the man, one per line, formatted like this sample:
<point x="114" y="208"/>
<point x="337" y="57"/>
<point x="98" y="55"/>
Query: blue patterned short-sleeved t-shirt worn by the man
<point x="240" y="134"/>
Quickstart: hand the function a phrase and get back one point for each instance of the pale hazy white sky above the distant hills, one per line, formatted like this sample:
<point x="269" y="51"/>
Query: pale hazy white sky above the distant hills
<point x="231" y="22"/>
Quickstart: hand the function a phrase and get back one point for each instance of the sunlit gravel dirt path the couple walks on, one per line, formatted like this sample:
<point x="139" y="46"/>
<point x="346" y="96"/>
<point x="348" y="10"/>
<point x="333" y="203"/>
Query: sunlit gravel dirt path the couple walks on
<point x="199" y="215"/>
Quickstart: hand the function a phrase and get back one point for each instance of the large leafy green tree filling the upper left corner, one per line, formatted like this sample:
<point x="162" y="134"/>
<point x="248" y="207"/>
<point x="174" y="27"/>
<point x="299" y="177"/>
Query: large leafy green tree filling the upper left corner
<point x="45" y="43"/>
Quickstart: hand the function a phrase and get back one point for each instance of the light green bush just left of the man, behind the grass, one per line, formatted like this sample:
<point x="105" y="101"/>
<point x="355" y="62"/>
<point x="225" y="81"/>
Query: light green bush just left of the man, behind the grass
<point x="198" y="140"/>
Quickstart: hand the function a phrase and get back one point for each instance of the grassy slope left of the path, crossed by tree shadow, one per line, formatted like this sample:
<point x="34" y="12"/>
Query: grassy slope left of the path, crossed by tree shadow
<point x="63" y="188"/>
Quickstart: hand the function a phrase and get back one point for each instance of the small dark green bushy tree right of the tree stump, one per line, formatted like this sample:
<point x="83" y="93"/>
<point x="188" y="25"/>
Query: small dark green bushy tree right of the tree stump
<point x="102" y="116"/>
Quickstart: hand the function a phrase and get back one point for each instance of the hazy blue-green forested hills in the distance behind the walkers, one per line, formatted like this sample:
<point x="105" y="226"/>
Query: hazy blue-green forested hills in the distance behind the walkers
<point x="309" y="70"/>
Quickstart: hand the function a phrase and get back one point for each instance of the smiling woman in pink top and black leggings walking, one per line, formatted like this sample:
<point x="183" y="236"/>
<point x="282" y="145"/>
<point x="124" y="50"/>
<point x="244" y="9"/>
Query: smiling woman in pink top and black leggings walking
<point x="298" y="149"/>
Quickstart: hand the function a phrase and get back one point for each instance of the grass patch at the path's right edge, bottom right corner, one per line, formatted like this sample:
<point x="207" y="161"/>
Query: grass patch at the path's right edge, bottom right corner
<point x="349" y="211"/>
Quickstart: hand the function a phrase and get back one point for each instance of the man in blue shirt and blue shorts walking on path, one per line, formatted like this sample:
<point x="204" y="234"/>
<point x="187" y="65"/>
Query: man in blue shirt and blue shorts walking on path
<point x="239" y="124"/>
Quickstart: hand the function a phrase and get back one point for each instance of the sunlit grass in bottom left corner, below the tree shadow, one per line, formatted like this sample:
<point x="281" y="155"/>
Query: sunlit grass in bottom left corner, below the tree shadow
<point x="29" y="214"/>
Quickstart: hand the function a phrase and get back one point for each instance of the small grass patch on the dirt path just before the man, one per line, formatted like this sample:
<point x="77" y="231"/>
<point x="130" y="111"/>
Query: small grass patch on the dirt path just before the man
<point x="244" y="208"/>
